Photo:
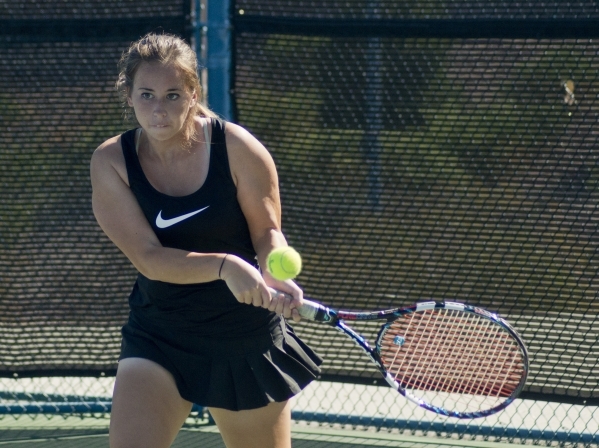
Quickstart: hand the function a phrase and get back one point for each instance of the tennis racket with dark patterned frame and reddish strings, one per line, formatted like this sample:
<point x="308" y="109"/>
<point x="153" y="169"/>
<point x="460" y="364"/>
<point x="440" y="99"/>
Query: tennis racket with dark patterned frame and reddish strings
<point x="453" y="359"/>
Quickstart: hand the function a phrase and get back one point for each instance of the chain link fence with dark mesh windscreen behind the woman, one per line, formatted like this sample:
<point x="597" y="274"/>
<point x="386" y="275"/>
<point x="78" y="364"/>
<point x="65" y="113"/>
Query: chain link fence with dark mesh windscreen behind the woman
<point x="426" y="150"/>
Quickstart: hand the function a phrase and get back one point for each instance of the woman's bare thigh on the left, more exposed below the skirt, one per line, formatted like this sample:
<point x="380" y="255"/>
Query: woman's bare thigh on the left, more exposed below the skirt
<point x="147" y="410"/>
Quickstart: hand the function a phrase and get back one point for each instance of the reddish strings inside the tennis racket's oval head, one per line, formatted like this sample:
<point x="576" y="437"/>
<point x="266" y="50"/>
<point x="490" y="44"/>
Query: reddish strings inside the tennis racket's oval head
<point x="452" y="351"/>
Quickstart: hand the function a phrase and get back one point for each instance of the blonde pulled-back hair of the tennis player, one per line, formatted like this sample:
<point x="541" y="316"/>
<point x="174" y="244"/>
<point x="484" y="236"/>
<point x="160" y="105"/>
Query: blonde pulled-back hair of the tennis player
<point x="165" y="49"/>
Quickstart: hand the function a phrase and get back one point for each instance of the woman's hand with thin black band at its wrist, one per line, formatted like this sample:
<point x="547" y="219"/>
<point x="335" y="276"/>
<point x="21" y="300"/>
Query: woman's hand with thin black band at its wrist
<point x="245" y="282"/>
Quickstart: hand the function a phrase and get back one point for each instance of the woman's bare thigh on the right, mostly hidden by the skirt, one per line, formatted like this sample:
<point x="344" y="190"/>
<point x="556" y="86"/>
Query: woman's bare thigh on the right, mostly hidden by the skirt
<point x="267" y="427"/>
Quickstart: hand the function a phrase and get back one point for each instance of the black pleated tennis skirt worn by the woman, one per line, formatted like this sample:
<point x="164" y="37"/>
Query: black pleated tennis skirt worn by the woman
<point x="234" y="374"/>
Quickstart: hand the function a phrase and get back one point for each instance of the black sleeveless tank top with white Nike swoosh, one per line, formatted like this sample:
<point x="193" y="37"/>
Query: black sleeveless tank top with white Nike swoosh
<point x="209" y="220"/>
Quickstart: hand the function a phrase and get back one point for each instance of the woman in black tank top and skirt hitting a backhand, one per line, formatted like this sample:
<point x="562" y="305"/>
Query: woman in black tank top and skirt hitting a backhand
<point x="193" y="202"/>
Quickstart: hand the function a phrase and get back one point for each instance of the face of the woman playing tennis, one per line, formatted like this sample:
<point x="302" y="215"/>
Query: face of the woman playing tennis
<point x="160" y="99"/>
